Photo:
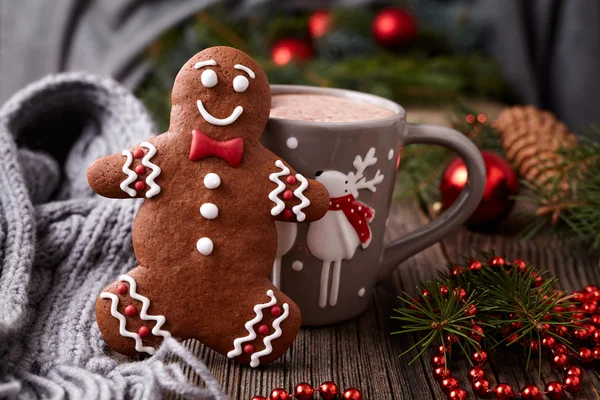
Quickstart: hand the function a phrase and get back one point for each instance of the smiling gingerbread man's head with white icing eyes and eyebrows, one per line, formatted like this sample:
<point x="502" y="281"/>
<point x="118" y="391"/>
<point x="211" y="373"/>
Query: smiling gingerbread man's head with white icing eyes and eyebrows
<point x="222" y="92"/>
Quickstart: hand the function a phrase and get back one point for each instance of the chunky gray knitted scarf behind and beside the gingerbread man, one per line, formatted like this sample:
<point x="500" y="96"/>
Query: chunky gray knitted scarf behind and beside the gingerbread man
<point x="60" y="244"/>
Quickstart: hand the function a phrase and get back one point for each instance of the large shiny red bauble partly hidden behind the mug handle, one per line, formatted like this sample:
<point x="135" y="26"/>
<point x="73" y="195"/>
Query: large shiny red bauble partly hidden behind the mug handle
<point x="502" y="183"/>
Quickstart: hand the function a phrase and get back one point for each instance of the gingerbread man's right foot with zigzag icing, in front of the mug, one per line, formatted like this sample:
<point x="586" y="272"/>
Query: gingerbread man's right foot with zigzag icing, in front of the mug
<point x="270" y="328"/>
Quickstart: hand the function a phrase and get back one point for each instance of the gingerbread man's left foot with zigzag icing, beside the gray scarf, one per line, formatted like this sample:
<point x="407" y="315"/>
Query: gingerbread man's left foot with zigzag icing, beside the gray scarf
<point x="127" y="319"/>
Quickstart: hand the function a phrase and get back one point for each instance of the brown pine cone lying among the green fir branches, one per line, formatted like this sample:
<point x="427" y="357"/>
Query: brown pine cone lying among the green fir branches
<point x="531" y="138"/>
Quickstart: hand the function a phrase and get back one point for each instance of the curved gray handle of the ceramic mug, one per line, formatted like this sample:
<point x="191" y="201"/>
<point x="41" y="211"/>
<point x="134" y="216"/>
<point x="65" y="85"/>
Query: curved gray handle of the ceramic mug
<point x="466" y="203"/>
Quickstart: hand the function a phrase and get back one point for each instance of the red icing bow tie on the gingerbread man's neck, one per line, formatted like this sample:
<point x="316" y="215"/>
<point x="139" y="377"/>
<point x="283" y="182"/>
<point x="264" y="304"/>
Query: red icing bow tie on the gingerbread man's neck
<point x="202" y="146"/>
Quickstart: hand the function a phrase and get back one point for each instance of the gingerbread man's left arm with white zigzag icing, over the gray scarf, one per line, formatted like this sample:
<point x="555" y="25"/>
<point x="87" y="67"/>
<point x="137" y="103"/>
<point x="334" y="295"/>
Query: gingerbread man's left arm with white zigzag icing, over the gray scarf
<point x="131" y="173"/>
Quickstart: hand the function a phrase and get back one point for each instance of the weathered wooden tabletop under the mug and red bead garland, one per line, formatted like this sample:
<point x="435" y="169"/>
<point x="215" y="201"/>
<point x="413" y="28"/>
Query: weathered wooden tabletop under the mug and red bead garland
<point x="362" y="353"/>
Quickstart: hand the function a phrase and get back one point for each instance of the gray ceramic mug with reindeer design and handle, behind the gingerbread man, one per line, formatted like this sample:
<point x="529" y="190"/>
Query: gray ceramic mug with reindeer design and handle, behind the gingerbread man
<point x="330" y="267"/>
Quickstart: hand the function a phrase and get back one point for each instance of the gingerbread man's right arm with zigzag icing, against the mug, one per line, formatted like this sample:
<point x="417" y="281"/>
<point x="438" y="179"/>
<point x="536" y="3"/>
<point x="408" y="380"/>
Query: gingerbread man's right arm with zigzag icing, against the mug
<point x="293" y="197"/>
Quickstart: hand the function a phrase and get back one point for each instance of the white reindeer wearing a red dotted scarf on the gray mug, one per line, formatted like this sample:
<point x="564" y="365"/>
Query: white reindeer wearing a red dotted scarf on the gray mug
<point x="345" y="226"/>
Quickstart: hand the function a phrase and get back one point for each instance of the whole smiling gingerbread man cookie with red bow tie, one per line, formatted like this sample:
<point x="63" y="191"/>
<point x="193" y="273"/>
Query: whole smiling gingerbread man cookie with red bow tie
<point x="205" y="236"/>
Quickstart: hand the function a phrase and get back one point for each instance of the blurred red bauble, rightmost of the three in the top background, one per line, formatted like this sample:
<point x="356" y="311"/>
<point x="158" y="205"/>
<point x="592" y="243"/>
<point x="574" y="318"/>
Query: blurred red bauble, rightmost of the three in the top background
<point x="394" y="28"/>
